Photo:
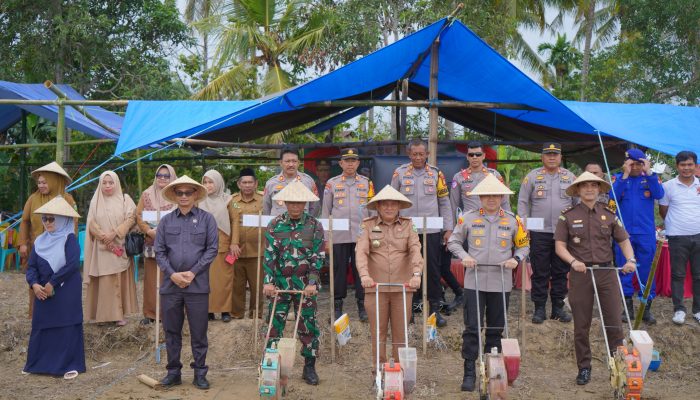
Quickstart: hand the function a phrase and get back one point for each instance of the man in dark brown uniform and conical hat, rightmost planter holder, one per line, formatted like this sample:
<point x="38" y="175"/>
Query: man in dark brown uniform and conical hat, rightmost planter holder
<point x="583" y="236"/>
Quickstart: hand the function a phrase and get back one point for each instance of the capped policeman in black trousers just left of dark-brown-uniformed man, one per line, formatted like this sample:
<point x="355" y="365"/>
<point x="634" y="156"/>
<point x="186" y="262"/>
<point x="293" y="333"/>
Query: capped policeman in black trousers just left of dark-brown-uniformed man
<point x="543" y="195"/>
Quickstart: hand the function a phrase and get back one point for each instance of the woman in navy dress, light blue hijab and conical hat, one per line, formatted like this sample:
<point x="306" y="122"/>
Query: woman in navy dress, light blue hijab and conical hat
<point x="53" y="273"/>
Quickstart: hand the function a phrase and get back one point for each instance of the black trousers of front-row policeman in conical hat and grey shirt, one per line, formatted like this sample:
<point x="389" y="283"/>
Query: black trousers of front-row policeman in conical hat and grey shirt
<point x="492" y="304"/>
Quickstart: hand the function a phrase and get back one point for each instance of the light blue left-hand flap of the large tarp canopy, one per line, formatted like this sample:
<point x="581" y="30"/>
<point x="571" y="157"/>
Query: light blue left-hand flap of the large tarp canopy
<point x="149" y="122"/>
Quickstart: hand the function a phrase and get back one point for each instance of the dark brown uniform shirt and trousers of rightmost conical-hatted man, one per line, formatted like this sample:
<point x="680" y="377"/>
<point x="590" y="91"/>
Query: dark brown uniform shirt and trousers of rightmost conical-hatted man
<point x="588" y="234"/>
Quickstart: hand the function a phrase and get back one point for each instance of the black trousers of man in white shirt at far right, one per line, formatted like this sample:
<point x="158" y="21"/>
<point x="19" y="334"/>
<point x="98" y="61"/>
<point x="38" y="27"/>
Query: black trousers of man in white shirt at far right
<point x="683" y="249"/>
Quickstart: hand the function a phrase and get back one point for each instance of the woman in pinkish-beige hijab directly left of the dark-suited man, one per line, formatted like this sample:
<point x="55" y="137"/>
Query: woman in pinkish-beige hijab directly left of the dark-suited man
<point x="152" y="201"/>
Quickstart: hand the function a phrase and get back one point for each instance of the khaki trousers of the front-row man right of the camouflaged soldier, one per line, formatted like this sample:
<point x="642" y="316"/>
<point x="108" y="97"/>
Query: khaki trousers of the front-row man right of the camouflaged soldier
<point x="390" y="308"/>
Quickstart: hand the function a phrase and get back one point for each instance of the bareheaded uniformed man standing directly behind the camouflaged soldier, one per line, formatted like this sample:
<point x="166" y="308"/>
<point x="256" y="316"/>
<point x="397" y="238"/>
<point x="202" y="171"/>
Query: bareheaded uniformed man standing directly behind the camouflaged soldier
<point x="289" y="161"/>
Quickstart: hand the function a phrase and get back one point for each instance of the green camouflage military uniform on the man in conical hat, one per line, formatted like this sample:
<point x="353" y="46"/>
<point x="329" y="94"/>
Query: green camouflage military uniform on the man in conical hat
<point x="293" y="259"/>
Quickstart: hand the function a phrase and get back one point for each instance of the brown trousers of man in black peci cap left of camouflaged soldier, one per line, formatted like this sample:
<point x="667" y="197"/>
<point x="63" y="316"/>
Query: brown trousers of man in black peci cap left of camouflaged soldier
<point x="245" y="271"/>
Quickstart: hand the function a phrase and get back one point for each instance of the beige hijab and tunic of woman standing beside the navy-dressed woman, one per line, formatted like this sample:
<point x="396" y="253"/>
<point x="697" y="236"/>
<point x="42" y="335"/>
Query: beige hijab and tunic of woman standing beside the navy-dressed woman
<point x="110" y="213"/>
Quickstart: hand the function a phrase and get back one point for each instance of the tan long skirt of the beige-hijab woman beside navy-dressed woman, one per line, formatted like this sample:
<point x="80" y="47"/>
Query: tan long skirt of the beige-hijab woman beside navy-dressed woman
<point x="111" y="297"/>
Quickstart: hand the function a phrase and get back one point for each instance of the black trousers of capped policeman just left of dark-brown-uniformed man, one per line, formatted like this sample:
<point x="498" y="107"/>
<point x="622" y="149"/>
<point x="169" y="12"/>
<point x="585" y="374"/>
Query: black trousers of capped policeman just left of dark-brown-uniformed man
<point x="546" y="267"/>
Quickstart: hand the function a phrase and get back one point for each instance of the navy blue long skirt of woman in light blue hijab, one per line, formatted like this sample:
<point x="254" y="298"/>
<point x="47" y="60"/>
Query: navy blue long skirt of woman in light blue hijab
<point x="55" y="351"/>
